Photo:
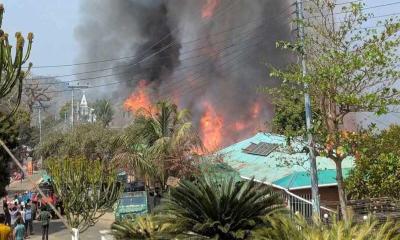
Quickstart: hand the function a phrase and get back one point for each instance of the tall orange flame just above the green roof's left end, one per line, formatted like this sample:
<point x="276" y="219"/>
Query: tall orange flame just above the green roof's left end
<point x="211" y="128"/>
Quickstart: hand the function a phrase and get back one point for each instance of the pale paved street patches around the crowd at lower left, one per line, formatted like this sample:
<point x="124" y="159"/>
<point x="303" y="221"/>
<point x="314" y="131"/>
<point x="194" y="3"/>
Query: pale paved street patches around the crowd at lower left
<point x="57" y="230"/>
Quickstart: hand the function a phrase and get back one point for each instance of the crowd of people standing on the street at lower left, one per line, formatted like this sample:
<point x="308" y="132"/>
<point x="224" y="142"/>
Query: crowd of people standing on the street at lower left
<point x="17" y="221"/>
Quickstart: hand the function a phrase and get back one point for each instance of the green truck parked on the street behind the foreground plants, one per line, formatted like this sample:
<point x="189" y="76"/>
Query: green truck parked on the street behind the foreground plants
<point x="131" y="204"/>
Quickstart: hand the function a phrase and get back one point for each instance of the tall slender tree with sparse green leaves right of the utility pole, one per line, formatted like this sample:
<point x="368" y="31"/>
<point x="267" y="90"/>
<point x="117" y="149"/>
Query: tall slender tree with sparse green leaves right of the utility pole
<point x="350" y="69"/>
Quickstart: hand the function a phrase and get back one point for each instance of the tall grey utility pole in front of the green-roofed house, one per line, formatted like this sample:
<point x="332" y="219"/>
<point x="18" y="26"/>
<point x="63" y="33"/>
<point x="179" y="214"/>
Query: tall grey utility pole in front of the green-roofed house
<point x="307" y="104"/>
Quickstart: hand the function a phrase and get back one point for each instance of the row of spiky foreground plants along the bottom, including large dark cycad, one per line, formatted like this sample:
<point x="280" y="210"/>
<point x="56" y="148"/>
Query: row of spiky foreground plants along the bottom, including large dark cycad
<point x="208" y="209"/>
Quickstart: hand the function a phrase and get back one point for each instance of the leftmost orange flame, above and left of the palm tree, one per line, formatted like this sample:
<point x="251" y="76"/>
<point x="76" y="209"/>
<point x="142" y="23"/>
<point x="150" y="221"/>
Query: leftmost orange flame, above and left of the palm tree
<point x="139" y="99"/>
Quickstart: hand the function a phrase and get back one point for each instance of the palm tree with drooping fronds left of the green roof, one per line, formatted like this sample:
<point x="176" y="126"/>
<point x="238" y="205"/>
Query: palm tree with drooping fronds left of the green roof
<point x="160" y="142"/>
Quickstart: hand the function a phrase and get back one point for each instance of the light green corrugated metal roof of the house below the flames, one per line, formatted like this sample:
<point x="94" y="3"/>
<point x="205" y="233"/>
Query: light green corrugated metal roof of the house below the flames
<point x="273" y="167"/>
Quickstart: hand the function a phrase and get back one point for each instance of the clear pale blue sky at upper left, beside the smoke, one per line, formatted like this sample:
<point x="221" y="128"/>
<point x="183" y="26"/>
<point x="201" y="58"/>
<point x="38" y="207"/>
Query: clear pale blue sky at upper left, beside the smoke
<point x="53" y="23"/>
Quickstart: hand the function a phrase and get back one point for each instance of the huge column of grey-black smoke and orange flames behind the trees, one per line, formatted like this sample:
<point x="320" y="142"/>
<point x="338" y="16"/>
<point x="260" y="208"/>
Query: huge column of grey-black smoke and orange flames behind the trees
<point x="208" y="56"/>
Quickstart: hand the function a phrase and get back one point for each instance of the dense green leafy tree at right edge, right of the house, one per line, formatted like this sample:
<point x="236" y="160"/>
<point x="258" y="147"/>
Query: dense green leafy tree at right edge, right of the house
<point x="377" y="167"/>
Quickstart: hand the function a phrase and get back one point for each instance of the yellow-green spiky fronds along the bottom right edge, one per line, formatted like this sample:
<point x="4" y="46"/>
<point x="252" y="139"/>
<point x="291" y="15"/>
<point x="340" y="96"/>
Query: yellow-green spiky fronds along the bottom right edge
<point x="284" y="227"/>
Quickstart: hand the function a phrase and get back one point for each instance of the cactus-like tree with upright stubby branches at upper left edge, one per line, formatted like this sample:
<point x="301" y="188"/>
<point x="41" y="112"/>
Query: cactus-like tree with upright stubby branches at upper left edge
<point x="11" y="72"/>
